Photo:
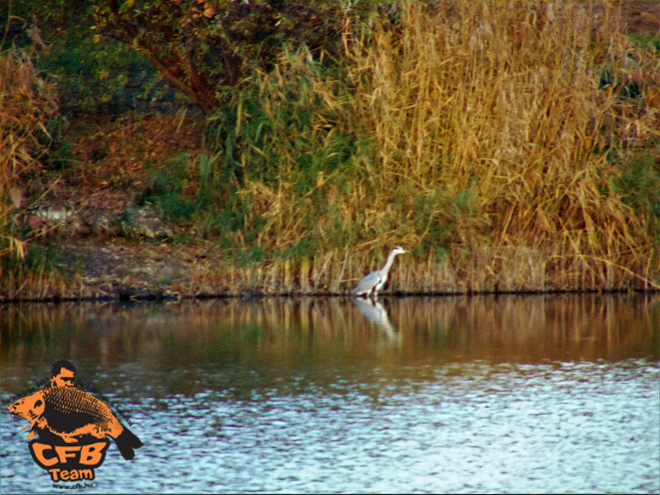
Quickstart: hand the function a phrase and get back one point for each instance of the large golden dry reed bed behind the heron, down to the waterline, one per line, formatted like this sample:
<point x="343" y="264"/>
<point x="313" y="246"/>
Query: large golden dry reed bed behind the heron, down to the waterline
<point x="496" y="119"/>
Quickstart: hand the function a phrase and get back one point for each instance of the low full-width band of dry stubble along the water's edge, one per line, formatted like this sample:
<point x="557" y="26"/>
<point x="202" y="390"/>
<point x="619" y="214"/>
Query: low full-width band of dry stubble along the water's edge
<point x="483" y="270"/>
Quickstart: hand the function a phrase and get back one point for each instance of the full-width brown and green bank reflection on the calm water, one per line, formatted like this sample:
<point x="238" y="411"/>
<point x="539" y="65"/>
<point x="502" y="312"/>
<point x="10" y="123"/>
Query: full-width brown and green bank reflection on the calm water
<point x="276" y="331"/>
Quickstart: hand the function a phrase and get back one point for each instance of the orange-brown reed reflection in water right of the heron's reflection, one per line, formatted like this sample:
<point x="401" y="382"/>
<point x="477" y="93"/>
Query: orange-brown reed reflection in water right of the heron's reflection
<point x="563" y="327"/>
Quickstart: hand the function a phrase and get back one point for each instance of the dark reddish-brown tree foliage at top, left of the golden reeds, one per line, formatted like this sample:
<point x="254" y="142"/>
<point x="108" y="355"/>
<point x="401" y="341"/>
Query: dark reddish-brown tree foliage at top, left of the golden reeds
<point x="201" y="46"/>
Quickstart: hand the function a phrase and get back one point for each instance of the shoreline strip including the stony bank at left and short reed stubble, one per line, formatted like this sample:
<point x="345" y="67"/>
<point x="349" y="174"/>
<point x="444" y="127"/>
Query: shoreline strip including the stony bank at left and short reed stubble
<point x="119" y="270"/>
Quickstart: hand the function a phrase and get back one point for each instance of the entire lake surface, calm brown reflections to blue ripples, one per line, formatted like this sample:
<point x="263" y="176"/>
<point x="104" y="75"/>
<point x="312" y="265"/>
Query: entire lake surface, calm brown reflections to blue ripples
<point x="543" y="393"/>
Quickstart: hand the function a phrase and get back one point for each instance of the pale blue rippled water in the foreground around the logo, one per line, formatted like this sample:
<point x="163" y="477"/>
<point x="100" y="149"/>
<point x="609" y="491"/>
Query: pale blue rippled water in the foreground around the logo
<point x="494" y="428"/>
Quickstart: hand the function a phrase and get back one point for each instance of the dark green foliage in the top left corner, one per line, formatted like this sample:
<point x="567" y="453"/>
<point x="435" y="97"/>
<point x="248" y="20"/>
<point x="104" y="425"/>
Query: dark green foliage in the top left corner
<point x="102" y="78"/>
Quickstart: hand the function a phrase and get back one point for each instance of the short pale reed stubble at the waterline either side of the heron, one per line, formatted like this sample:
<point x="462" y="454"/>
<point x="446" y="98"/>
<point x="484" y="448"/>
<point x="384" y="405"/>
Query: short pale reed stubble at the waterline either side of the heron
<point x="484" y="269"/>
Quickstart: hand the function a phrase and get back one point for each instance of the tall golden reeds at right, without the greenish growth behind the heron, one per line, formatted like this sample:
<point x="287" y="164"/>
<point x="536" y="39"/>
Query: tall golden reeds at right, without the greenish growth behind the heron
<point x="505" y="103"/>
